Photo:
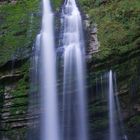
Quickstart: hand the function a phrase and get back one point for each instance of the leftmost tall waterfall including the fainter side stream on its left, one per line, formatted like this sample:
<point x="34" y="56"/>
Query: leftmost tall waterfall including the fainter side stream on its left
<point x="44" y="77"/>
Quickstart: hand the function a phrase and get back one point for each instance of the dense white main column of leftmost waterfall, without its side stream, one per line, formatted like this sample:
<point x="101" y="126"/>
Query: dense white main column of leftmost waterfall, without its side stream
<point x="49" y="110"/>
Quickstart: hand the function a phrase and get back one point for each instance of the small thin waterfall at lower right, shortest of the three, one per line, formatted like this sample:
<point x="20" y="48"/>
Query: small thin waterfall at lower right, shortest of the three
<point x="116" y="126"/>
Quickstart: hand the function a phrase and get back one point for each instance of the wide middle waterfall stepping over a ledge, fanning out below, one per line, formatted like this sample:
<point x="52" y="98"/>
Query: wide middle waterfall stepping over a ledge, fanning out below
<point x="74" y="125"/>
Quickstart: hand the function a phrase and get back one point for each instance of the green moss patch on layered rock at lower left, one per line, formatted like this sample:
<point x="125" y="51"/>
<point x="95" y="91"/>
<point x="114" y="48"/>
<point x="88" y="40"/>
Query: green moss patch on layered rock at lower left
<point x="20" y="93"/>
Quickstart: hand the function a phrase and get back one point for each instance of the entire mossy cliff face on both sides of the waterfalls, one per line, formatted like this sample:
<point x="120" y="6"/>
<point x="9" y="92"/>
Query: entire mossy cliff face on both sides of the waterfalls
<point x="113" y="44"/>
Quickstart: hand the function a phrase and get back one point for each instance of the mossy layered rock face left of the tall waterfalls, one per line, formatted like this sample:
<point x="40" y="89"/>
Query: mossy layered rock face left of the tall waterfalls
<point x="19" y="25"/>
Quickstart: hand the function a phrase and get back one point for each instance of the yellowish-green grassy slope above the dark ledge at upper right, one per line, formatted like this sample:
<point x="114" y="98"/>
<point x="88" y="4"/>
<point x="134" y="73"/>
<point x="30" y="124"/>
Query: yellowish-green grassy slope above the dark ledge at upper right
<point x="118" y="25"/>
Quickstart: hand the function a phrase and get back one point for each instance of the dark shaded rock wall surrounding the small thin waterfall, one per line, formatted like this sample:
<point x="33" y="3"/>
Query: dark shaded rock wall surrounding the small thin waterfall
<point x="128" y="92"/>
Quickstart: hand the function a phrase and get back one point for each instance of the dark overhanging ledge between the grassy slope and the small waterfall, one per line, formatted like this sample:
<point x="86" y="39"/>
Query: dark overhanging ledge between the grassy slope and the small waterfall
<point x="111" y="60"/>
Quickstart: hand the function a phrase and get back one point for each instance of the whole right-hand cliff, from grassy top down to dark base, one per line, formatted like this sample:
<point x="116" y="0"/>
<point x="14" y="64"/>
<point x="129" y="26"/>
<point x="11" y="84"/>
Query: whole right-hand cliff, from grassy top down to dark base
<point x="118" y="54"/>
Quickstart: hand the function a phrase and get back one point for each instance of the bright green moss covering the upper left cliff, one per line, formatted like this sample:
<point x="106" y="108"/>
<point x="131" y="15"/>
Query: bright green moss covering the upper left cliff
<point x="18" y="27"/>
